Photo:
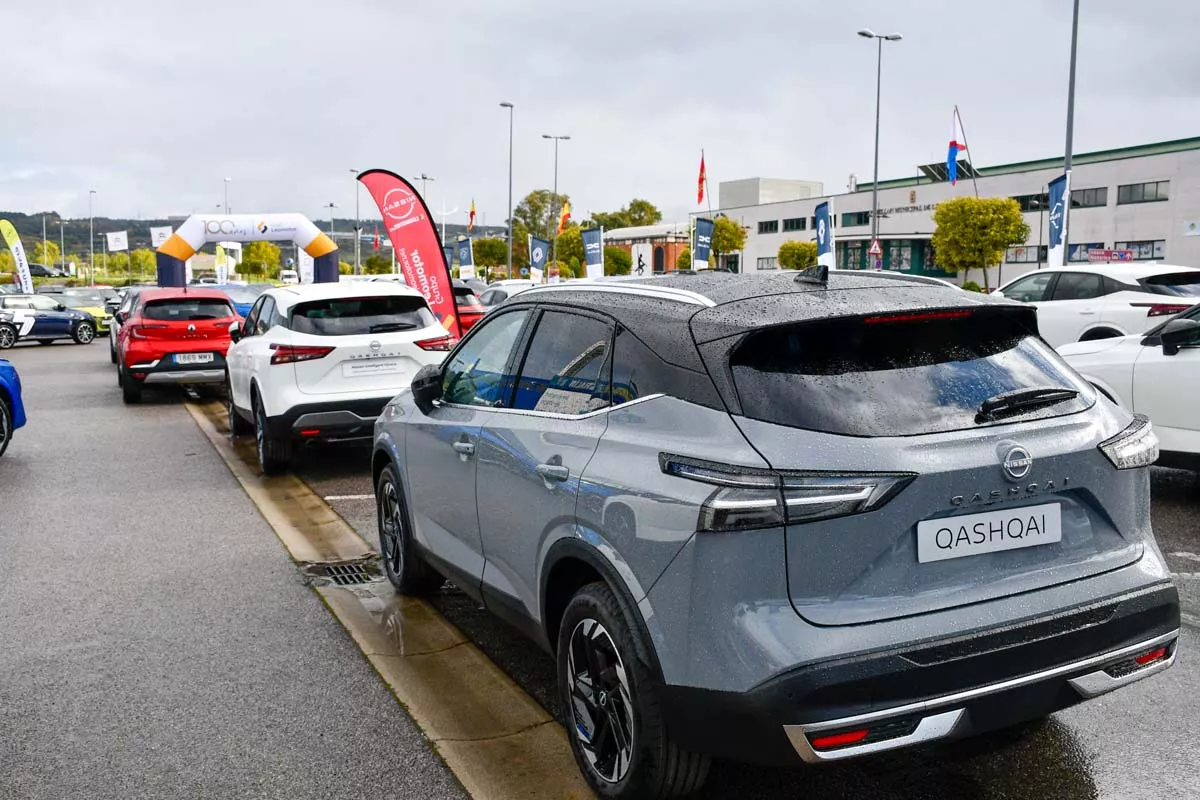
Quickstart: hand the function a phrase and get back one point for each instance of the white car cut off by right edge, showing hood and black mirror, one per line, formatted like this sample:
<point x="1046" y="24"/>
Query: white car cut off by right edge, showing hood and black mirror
<point x="1157" y="375"/>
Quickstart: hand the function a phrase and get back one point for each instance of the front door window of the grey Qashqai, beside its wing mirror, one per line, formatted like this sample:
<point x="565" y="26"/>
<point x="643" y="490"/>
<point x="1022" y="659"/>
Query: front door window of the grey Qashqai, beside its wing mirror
<point x="476" y="374"/>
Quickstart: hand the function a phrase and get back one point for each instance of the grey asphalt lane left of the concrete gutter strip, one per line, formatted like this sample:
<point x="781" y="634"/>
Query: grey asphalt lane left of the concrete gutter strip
<point x="155" y="640"/>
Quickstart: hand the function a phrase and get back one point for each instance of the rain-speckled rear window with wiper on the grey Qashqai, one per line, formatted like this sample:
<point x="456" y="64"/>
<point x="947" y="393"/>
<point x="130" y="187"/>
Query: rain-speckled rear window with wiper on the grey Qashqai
<point x="899" y="375"/>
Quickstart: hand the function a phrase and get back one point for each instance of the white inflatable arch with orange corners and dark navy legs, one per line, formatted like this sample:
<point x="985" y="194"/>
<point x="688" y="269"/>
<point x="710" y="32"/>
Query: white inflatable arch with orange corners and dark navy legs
<point x="197" y="231"/>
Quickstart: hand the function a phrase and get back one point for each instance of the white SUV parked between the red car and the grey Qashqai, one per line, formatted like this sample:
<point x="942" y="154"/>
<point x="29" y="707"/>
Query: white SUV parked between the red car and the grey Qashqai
<point x="321" y="362"/>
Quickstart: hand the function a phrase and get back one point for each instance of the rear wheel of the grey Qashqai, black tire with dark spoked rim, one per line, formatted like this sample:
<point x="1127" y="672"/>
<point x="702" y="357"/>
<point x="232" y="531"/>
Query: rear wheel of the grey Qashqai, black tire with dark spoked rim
<point x="617" y="732"/>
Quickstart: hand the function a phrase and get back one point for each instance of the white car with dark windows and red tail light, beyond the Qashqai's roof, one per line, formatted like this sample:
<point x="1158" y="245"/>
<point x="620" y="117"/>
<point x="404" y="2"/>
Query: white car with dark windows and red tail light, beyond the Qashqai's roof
<point x="1097" y="302"/>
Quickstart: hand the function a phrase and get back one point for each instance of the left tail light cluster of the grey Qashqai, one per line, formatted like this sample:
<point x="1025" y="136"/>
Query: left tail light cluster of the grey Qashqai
<point x="749" y="498"/>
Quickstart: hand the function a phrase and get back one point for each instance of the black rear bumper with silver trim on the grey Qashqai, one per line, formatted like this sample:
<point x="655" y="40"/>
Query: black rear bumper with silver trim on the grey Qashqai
<point x="939" y="690"/>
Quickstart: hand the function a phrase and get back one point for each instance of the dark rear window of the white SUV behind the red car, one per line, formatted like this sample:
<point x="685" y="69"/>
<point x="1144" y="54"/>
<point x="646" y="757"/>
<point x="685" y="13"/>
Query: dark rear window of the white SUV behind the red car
<point x="357" y="316"/>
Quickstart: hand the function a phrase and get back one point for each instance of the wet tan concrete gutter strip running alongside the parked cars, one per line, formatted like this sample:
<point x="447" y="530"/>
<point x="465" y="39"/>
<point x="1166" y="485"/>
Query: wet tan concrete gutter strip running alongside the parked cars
<point x="497" y="741"/>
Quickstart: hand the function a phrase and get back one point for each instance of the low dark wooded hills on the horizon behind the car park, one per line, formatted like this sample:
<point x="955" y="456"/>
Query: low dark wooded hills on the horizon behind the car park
<point x="75" y="232"/>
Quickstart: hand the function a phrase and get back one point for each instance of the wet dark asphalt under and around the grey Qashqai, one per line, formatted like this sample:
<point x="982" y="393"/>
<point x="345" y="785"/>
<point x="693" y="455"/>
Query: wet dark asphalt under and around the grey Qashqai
<point x="1137" y="743"/>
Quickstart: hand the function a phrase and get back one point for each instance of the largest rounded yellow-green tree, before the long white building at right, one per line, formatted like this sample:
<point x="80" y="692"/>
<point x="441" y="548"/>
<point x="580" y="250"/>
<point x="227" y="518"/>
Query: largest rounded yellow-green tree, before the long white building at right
<point x="974" y="233"/>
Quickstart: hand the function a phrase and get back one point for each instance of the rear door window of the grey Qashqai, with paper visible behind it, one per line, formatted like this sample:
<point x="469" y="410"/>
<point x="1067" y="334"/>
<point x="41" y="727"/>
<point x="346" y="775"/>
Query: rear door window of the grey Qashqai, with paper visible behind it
<point x="566" y="370"/>
